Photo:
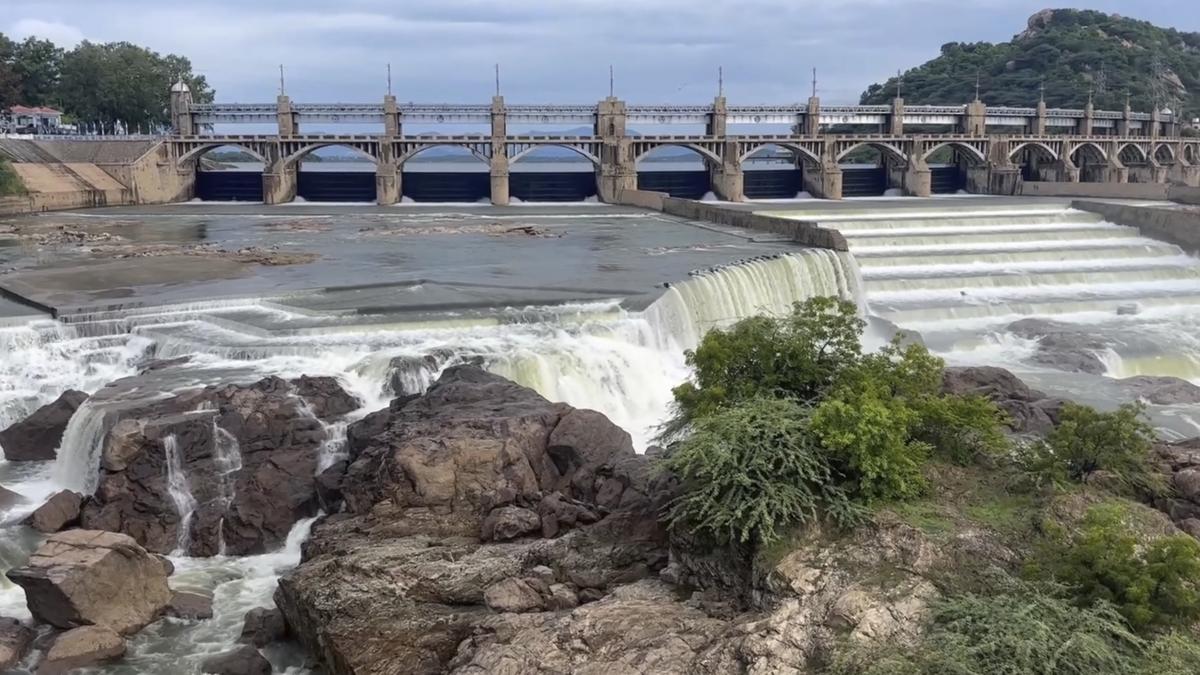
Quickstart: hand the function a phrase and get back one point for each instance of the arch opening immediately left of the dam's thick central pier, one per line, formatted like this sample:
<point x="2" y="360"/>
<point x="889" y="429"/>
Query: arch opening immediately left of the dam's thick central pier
<point x="554" y="174"/>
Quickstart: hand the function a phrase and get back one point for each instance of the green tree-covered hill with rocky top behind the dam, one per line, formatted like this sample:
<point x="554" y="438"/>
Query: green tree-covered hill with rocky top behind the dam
<point x="1072" y="52"/>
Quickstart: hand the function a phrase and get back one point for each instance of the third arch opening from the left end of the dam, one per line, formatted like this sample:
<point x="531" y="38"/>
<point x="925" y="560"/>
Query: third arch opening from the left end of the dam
<point x="446" y="175"/>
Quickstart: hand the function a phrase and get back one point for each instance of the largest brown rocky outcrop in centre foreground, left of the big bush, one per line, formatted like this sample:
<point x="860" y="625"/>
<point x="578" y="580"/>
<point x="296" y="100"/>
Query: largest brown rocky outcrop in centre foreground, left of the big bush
<point x="477" y="498"/>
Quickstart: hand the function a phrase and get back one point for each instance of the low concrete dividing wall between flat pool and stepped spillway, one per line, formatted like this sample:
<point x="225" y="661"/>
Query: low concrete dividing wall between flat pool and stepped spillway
<point x="802" y="232"/>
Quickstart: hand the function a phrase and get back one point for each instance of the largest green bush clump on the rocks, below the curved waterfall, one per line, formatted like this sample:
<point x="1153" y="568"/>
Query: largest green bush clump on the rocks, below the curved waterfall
<point x="788" y="422"/>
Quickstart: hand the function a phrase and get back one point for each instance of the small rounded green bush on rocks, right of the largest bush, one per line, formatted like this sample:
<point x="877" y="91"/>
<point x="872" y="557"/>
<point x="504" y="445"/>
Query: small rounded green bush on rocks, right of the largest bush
<point x="1088" y="441"/>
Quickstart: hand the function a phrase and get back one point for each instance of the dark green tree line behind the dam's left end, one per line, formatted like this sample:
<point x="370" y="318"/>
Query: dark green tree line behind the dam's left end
<point x="97" y="83"/>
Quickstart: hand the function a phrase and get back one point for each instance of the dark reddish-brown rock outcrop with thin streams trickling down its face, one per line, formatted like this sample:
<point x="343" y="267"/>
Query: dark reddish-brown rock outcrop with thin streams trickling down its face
<point x="249" y="456"/>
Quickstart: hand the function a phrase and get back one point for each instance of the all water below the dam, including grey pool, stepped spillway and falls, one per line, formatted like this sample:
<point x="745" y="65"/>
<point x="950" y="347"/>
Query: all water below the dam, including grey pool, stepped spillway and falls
<point x="590" y="304"/>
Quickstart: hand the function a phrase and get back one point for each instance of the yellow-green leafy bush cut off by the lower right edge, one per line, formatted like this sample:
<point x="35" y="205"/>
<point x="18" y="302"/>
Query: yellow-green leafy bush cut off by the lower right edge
<point x="1154" y="587"/>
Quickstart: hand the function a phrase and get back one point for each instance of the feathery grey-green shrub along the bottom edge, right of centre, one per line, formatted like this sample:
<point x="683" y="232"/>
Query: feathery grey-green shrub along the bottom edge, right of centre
<point x="1024" y="631"/>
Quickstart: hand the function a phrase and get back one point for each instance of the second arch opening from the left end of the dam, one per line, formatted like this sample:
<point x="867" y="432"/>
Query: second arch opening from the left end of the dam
<point x="335" y="174"/>
